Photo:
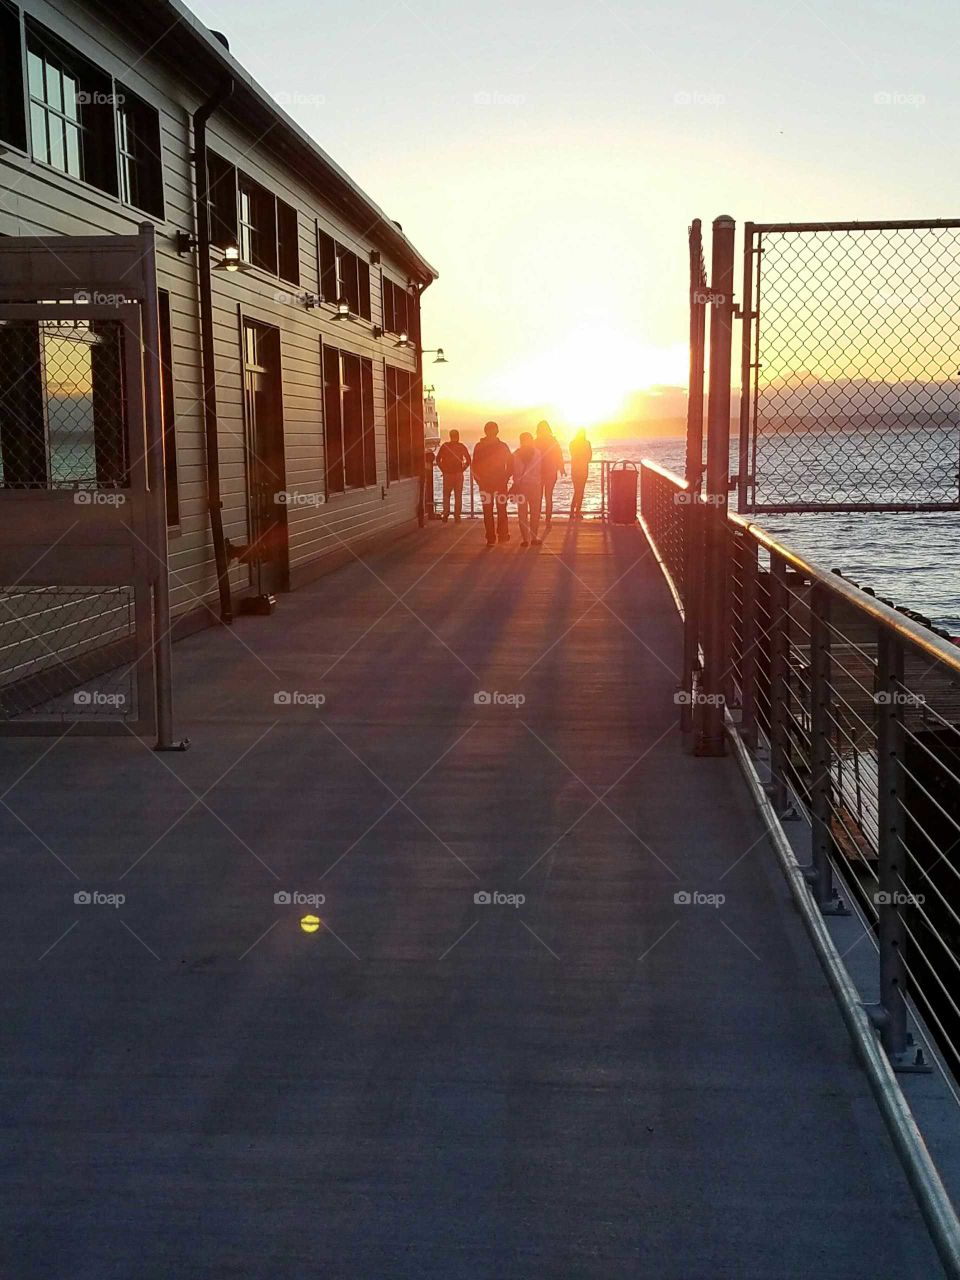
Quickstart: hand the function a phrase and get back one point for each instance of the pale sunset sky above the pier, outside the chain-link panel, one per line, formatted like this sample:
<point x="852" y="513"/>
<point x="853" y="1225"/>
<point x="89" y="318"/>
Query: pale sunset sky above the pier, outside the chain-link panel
<point x="548" y="158"/>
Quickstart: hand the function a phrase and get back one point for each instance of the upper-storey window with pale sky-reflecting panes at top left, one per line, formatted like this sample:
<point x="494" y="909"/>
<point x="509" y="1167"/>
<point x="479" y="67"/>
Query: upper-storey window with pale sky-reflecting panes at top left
<point x="71" y="112"/>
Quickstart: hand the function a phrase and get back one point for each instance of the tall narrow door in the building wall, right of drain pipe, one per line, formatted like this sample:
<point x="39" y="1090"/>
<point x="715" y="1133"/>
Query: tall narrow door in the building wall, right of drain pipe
<point x="267" y="496"/>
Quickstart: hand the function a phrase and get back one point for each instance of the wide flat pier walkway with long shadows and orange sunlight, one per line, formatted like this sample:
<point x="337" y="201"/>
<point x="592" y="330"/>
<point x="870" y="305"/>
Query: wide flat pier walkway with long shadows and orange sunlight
<point x="598" y="1082"/>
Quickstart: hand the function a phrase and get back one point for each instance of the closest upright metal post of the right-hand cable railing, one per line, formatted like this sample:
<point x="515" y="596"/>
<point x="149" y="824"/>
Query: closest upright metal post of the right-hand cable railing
<point x="892" y="813"/>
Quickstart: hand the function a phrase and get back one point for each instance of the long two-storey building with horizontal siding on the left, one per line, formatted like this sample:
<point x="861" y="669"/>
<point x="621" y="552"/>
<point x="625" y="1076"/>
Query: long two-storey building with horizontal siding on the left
<point x="310" y="423"/>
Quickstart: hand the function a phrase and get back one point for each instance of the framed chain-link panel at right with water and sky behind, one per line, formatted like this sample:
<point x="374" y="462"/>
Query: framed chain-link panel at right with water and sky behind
<point x="851" y="369"/>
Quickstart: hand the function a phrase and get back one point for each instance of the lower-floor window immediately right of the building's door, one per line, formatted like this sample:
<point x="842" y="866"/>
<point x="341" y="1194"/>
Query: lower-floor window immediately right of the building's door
<point x="349" y="420"/>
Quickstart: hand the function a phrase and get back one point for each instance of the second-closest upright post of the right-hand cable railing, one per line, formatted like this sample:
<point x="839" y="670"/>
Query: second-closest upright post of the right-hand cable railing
<point x="821" y="874"/>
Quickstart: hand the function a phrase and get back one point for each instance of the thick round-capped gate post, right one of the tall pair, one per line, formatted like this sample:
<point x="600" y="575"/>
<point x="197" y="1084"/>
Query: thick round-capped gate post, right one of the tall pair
<point x="711" y="739"/>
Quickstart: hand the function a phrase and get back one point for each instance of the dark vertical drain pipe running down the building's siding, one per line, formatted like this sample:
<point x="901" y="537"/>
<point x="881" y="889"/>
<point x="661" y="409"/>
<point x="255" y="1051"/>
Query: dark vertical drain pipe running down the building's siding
<point x="207" y="345"/>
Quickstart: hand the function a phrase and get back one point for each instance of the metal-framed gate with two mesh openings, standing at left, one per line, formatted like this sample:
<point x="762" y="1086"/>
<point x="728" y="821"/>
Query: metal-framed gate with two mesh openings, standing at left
<point x="84" y="588"/>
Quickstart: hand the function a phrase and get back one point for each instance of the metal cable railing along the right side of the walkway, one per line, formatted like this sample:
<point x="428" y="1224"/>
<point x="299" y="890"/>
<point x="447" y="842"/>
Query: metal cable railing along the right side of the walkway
<point x="853" y="710"/>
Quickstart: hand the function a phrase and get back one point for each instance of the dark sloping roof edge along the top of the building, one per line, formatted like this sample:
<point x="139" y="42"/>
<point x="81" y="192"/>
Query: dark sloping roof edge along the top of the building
<point x="382" y="228"/>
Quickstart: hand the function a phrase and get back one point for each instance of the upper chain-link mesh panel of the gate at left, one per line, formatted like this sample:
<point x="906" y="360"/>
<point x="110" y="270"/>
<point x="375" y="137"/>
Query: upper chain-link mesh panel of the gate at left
<point x="62" y="405"/>
